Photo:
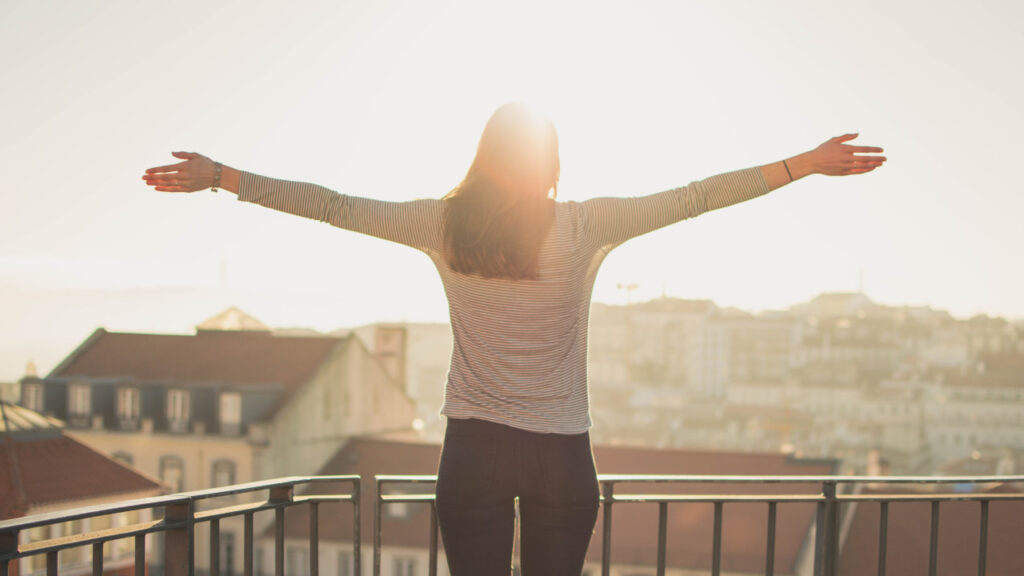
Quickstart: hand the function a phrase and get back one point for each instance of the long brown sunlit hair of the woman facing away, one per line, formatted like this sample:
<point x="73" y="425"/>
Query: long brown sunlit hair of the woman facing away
<point x="497" y="219"/>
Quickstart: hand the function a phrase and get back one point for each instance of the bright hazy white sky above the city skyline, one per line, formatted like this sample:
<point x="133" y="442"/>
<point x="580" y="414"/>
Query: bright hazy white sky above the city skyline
<point x="388" y="99"/>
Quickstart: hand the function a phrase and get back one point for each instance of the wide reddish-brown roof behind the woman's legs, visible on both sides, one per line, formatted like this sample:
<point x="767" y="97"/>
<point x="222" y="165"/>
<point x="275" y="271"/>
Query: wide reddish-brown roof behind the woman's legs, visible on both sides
<point x="635" y="526"/>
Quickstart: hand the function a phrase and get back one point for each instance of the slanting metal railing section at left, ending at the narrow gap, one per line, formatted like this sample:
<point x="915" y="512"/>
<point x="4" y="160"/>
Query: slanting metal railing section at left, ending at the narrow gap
<point x="180" y="515"/>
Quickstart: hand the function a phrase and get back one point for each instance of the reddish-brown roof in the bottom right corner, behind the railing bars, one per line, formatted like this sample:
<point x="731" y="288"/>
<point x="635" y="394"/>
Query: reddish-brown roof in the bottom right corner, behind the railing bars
<point x="910" y="533"/>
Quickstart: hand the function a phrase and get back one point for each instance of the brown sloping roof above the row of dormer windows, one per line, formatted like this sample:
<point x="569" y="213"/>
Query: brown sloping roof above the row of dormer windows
<point x="215" y="357"/>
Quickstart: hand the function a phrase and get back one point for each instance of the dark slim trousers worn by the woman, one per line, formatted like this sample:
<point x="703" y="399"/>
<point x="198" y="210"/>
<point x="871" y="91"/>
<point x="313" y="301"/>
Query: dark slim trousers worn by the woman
<point x="485" y="467"/>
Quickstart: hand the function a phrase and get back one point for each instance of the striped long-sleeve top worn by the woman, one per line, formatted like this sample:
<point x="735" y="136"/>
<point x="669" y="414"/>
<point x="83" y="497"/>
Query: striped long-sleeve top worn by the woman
<point x="520" y="354"/>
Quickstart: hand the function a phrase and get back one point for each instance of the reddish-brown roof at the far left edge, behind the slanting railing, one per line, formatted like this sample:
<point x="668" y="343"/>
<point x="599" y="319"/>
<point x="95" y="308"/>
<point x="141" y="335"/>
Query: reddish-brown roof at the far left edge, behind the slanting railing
<point x="48" y="469"/>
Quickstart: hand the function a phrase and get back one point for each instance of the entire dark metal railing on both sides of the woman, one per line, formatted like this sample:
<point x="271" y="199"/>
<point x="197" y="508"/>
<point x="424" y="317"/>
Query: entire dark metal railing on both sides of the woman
<point x="177" y="517"/>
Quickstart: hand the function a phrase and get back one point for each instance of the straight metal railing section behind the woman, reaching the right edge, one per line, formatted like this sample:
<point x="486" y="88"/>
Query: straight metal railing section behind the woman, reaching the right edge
<point x="829" y="499"/>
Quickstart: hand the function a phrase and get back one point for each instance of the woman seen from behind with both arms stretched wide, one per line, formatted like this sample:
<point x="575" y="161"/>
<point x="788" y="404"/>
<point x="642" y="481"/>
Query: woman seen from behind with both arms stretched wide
<point x="518" y="269"/>
